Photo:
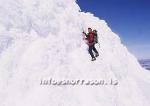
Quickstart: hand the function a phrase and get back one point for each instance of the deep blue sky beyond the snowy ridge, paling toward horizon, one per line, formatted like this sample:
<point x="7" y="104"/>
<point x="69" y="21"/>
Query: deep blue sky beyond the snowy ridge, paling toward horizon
<point x="130" y="19"/>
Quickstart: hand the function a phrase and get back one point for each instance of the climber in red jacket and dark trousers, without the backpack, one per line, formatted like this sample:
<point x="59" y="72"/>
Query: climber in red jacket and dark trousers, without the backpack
<point x="91" y="44"/>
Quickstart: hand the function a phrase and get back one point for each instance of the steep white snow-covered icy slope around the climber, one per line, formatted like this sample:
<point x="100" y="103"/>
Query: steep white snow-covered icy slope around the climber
<point x="42" y="39"/>
